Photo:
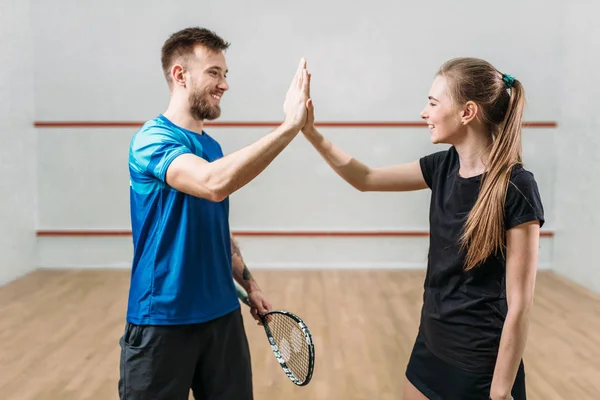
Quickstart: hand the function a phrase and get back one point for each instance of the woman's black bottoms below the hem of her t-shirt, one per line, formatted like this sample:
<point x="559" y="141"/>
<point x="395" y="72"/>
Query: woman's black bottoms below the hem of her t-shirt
<point x="440" y="380"/>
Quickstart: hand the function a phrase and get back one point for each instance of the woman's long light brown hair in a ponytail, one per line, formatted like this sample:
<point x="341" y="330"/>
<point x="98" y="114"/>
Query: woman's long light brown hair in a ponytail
<point x="501" y="100"/>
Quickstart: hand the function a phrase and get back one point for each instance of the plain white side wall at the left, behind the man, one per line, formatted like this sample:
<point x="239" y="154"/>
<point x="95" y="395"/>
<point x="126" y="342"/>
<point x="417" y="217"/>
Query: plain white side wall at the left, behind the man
<point x="18" y="185"/>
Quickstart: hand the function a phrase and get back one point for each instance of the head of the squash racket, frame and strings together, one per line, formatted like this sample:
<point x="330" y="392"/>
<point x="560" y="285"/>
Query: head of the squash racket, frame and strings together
<point x="292" y="344"/>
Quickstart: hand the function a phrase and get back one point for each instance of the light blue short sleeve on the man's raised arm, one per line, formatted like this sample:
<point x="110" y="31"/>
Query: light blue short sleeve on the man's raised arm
<point x="153" y="150"/>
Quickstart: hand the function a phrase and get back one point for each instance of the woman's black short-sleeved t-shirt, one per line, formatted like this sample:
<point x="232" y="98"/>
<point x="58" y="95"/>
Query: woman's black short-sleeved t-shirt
<point x="463" y="312"/>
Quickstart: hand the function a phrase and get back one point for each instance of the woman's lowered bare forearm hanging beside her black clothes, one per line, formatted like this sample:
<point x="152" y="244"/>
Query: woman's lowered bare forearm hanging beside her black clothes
<point x="512" y="347"/>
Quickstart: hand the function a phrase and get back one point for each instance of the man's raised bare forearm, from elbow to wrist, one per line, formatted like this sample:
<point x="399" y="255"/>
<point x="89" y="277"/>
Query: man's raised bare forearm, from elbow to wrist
<point x="235" y="170"/>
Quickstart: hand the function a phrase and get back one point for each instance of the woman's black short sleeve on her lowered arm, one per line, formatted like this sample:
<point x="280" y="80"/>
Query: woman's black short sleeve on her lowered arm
<point x="523" y="201"/>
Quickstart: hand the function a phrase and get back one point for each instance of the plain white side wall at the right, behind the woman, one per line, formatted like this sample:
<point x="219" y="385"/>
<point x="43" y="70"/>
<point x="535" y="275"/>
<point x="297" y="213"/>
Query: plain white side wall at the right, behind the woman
<point x="578" y="169"/>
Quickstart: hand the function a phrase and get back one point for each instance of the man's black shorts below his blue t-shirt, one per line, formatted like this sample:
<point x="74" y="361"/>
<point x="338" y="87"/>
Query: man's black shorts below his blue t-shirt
<point x="166" y="361"/>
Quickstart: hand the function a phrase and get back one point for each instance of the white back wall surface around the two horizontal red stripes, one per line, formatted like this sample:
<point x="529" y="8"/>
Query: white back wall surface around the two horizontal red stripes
<point x="101" y="62"/>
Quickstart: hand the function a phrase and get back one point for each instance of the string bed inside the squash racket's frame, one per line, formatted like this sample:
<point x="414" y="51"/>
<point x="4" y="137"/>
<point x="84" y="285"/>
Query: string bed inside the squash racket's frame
<point x="291" y="343"/>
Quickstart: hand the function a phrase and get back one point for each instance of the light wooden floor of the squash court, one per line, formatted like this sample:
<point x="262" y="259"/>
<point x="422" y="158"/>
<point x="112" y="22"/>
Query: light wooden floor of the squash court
<point x="59" y="333"/>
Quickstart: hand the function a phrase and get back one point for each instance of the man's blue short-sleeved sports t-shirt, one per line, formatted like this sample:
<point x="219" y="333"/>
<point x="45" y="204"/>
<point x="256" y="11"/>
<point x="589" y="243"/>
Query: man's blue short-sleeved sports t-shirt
<point x="181" y="270"/>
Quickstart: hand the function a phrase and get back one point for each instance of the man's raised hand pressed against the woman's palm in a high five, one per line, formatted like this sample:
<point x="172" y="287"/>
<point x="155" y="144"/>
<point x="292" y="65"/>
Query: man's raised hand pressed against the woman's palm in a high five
<point x="296" y="98"/>
